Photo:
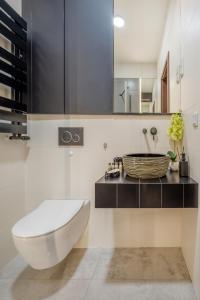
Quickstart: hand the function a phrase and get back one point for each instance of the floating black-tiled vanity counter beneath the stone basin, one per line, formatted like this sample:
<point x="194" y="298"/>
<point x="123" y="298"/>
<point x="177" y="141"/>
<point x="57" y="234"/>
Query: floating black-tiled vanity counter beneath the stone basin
<point x="170" y="191"/>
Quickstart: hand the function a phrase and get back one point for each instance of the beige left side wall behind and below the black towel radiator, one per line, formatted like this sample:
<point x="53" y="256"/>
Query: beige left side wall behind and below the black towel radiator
<point x="12" y="183"/>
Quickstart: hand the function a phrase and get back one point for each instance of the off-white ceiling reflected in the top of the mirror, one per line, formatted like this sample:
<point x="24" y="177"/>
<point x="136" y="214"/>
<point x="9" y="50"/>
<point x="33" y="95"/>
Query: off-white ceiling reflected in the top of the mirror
<point x="139" y="41"/>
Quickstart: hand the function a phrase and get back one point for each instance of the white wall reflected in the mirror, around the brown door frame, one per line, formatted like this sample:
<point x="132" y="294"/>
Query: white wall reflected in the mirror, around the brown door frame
<point x="171" y="43"/>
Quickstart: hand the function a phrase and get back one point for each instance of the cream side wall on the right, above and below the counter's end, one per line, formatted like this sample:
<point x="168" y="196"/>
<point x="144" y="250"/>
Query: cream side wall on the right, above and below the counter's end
<point x="190" y="90"/>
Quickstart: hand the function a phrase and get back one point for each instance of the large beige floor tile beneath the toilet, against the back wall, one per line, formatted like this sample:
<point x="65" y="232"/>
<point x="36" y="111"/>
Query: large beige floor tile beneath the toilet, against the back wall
<point x="79" y="264"/>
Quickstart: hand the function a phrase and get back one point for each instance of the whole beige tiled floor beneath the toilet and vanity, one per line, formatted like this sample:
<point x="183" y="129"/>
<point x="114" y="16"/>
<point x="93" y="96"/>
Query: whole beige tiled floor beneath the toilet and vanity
<point x="102" y="274"/>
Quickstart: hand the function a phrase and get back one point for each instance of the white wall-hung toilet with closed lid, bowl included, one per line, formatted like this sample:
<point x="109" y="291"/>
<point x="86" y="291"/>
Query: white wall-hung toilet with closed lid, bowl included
<point x="45" y="236"/>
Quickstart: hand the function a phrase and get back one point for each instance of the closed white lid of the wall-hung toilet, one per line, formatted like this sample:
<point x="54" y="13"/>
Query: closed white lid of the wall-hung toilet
<point x="48" y="217"/>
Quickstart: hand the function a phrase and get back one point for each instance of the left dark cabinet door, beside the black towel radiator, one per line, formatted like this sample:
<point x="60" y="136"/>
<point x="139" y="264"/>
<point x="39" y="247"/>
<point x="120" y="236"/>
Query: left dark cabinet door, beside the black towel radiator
<point x="46" y="38"/>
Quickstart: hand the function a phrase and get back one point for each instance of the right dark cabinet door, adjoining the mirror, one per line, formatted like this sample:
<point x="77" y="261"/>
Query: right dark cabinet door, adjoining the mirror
<point x="89" y="56"/>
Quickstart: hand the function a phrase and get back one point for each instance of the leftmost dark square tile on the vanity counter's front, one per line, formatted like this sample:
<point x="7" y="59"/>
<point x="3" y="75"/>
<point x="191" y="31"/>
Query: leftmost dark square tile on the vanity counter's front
<point x="105" y="196"/>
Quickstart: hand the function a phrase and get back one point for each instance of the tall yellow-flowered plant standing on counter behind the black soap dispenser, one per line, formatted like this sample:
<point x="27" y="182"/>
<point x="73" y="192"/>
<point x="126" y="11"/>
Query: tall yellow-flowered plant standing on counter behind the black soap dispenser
<point x="176" y="132"/>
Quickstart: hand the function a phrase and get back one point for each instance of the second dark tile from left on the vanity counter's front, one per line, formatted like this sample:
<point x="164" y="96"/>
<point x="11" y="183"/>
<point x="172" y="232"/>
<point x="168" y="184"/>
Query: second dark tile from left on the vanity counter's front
<point x="128" y="195"/>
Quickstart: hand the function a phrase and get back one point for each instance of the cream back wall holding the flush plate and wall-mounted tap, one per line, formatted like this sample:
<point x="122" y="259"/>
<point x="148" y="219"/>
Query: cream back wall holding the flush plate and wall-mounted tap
<point x="53" y="173"/>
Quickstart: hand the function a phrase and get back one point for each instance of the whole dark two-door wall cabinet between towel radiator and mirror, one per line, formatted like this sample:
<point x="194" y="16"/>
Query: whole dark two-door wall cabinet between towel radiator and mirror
<point x="70" y="56"/>
